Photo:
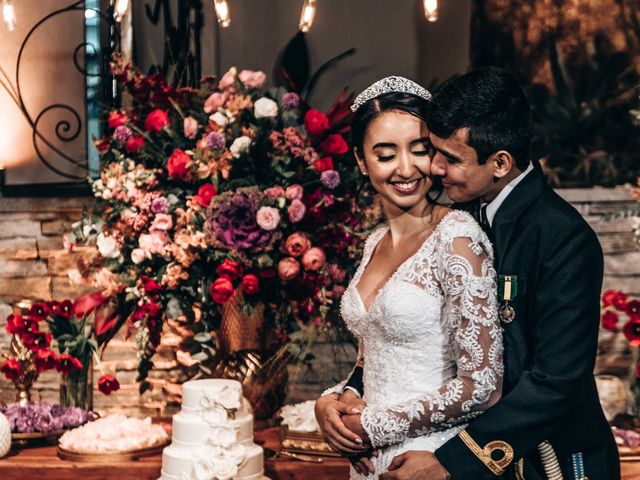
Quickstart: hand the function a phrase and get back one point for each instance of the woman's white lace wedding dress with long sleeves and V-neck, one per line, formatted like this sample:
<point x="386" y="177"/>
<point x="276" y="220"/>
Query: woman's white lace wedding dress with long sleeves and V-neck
<point x="431" y="341"/>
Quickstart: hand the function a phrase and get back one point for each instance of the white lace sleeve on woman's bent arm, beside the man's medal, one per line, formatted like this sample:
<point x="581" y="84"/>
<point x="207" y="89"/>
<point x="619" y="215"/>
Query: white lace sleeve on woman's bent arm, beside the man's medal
<point x="468" y="282"/>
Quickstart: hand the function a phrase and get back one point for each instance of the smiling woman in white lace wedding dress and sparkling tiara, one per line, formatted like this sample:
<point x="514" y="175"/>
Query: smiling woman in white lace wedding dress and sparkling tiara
<point x="422" y="303"/>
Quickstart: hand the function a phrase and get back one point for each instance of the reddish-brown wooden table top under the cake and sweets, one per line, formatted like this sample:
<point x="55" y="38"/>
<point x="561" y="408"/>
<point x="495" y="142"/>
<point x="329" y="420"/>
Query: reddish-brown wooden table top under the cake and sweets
<point x="42" y="463"/>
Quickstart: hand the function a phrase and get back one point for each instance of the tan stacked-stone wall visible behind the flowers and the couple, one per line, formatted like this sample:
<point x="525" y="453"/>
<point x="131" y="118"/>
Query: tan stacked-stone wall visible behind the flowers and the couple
<point x="33" y="265"/>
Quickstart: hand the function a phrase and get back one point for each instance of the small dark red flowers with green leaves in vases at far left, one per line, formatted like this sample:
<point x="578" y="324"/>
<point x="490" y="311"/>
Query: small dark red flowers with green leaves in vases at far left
<point x="67" y="323"/>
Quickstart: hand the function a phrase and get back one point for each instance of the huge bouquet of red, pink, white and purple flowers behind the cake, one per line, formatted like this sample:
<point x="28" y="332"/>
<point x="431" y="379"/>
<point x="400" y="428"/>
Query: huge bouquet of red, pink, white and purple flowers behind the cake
<point x="228" y="192"/>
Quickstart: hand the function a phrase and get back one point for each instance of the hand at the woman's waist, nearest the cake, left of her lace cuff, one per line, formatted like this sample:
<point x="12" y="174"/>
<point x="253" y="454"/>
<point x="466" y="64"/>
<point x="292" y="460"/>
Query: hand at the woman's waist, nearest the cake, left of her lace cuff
<point x="329" y="411"/>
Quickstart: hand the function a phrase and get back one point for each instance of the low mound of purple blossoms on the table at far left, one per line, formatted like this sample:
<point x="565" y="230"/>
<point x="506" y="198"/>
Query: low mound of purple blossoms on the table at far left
<point x="43" y="417"/>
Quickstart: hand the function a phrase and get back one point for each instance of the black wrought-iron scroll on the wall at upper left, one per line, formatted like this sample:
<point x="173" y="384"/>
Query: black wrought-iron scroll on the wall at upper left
<point x="68" y="128"/>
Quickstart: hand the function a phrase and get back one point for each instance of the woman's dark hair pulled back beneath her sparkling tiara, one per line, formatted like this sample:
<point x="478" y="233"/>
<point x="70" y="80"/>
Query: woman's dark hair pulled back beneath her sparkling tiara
<point x="394" y="101"/>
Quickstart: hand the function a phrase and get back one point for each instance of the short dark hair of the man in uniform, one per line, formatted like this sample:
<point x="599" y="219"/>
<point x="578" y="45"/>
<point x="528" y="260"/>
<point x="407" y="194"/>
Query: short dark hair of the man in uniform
<point x="492" y="104"/>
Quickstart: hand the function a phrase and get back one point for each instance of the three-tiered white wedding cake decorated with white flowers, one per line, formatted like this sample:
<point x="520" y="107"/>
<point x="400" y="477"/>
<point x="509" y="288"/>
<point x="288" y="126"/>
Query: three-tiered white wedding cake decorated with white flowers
<point x="213" y="435"/>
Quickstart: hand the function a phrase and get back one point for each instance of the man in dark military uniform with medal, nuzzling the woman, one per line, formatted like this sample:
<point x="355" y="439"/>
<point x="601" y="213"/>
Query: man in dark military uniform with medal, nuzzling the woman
<point x="550" y="269"/>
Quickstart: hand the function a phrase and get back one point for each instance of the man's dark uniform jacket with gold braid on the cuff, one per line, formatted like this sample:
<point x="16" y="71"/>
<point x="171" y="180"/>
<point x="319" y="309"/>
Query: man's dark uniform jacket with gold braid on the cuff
<point x="549" y="392"/>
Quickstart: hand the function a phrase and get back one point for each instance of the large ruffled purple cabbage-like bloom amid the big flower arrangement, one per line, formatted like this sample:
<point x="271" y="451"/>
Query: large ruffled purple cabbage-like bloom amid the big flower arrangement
<point x="232" y="221"/>
